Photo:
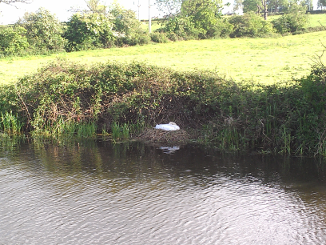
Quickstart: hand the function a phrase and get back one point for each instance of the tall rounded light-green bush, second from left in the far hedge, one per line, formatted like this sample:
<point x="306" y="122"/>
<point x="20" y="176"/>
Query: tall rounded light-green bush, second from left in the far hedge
<point x="43" y="30"/>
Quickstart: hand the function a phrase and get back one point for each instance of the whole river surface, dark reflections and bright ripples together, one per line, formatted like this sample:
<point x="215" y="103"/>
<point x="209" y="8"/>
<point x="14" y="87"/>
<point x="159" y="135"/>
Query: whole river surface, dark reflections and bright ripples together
<point x="101" y="193"/>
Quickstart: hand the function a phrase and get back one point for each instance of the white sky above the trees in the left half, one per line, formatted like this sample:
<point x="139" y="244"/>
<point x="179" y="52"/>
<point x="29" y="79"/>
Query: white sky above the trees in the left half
<point x="11" y="14"/>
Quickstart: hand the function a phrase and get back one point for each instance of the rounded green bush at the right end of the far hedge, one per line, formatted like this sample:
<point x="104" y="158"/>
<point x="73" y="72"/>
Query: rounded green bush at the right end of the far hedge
<point x="293" y="20"/>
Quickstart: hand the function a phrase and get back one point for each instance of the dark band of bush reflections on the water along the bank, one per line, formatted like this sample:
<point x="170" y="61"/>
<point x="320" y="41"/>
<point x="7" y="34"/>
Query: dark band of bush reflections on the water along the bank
<point x="138" y="162"/>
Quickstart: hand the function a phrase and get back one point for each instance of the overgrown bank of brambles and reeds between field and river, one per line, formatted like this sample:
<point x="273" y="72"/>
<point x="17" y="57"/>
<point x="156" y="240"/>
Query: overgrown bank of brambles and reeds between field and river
<point x="72" y="99"/>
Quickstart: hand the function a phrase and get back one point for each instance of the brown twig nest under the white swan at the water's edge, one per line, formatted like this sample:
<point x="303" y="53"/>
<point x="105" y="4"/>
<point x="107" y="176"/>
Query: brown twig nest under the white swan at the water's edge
<point x="161" y="136"/>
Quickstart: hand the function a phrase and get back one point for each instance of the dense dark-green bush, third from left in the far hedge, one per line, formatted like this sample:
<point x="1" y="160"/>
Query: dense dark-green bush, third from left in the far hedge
<point x="88" y="31"/>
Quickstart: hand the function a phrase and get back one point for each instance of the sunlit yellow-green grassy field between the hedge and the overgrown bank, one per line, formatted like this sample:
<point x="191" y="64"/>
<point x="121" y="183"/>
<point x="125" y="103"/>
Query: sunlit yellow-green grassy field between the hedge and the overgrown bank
<point x="264" y="60"/>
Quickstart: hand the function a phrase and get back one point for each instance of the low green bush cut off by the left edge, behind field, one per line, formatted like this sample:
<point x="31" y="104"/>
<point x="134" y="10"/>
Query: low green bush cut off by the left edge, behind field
<point x="12" y="40"/>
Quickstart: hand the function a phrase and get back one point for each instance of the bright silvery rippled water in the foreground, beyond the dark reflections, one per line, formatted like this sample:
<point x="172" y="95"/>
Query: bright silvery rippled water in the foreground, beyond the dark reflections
<point x="43" y="207"/>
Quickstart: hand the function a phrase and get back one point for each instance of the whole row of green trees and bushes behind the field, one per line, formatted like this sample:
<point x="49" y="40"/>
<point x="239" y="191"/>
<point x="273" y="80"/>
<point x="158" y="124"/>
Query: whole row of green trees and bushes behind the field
<point x="101" y="26"/>
